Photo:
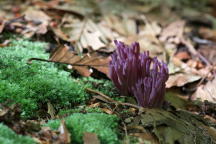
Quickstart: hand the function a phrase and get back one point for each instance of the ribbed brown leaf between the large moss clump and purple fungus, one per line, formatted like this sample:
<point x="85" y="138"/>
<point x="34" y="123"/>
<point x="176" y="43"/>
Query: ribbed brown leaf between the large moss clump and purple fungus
<point x="92" y="60"/>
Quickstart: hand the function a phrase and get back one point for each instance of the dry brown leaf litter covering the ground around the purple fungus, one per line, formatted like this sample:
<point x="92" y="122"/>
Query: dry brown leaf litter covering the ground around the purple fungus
<point x="84" y="41"/>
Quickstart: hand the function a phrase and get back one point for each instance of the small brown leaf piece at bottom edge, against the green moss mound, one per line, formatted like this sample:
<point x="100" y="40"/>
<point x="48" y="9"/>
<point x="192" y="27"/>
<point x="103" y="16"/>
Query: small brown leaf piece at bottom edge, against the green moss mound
<point x="90" y="138"/>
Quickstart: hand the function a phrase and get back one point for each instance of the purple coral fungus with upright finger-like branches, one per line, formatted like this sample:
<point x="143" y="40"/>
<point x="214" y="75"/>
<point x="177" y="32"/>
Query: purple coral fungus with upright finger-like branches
<point x="137" y="74"/>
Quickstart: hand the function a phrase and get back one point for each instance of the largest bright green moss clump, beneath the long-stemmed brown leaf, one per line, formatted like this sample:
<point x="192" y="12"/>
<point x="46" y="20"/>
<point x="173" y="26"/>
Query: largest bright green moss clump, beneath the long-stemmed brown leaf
<point x="33" y="85"/>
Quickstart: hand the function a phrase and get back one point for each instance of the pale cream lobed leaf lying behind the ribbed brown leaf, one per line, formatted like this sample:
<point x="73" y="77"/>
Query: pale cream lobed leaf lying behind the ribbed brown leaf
<point x="84" y="34"/>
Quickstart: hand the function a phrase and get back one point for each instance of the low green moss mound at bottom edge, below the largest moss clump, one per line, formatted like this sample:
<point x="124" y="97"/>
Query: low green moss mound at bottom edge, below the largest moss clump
<point x="103" y="125"/>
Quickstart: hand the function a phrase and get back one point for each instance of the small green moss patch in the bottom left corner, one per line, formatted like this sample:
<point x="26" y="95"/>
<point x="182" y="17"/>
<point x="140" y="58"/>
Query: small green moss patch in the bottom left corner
<point x="7" y="136"/>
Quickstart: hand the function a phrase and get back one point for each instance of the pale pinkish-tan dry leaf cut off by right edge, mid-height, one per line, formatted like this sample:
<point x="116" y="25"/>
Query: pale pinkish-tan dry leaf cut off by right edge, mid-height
<point x="206" y="92"/>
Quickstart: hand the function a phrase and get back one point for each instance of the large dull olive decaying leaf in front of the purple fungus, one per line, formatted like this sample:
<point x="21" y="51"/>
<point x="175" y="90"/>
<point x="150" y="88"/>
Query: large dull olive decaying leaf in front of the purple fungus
<point x="178" y="126"/>
